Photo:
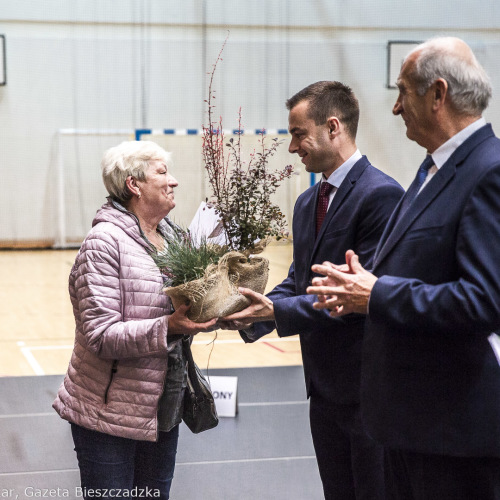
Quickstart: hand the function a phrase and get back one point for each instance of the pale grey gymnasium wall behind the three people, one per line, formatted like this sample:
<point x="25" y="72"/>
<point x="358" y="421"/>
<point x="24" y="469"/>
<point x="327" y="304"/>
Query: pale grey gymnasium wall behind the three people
<point x="127" y="64"/>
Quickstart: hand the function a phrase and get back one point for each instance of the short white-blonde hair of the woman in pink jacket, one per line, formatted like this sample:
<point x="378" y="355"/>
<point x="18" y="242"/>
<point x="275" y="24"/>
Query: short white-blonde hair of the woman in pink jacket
<point x="129" y="158"/>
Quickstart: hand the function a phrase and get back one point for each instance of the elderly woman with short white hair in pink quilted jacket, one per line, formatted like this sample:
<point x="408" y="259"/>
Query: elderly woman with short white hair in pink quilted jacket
<point x="123" y="392"/>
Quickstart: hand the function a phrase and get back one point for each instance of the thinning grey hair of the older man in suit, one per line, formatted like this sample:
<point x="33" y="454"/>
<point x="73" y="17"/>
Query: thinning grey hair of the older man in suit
<point x="469" y="86"/>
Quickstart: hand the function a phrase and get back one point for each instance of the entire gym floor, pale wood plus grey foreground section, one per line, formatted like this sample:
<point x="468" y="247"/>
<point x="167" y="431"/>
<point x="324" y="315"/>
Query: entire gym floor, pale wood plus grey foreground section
<point x="265" y="452"/>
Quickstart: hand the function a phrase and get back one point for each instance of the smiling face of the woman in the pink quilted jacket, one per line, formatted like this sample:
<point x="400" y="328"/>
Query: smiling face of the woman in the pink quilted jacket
<point x="157" y="191"/>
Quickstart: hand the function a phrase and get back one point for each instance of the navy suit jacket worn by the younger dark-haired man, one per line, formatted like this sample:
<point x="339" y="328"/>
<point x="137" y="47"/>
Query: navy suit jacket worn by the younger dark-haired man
<point x="331" y="348"/>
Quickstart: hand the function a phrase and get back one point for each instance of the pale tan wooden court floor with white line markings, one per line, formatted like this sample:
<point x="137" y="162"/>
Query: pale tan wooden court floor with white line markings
<point x="37" y="325"/>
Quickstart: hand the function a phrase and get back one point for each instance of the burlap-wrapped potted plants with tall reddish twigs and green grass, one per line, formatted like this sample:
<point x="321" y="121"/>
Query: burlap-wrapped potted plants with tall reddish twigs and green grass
<point x="208" y="275"/>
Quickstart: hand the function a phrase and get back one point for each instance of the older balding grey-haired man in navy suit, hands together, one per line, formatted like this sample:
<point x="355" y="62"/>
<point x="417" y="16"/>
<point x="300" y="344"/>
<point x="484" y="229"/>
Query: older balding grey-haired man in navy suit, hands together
<point x="430" y="384"/>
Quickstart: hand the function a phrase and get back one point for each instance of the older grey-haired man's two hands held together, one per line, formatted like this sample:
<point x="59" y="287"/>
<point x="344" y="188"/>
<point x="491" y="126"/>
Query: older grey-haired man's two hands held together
<point x="343" y="291"/>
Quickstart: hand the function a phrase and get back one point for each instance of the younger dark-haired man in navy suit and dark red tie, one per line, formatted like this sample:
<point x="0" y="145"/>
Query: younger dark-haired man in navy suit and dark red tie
<point x="349" y="208"/>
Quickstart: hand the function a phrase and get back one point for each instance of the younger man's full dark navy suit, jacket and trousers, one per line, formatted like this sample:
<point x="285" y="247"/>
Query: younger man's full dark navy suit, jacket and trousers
<point x="331" y="348"/>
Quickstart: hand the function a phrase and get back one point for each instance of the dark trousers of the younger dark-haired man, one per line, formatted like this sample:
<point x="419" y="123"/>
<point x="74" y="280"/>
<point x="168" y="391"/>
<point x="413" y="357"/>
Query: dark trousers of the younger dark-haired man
<point x="351" y="465"/>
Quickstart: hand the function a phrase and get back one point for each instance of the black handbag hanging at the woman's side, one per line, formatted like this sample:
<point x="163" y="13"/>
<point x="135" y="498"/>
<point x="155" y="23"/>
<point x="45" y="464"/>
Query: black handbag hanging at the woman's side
<point x="199" y="412"/>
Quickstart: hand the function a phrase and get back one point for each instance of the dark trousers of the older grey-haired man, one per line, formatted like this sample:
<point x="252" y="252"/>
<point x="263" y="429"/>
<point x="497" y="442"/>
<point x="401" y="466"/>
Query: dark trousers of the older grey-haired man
<point x="419" y="476"/>
